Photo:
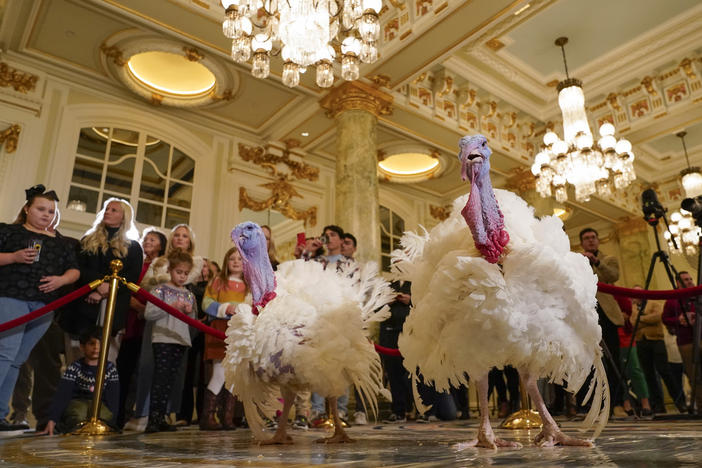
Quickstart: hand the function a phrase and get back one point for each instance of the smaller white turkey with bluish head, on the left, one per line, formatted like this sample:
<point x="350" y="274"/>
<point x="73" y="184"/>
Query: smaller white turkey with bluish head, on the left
<point x="307" y="332"/>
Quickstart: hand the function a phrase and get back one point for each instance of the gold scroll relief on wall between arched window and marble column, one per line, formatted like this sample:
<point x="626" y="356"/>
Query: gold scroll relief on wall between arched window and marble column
<point x="282" y="191"/>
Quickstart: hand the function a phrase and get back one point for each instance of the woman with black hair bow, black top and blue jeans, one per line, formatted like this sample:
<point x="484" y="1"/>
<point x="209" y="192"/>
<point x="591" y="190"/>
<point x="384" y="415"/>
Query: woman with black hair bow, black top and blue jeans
<point x="29" y="279"/>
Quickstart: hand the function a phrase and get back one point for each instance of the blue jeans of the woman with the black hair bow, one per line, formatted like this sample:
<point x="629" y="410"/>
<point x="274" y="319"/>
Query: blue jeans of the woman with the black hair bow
<point x="17" y="343"/>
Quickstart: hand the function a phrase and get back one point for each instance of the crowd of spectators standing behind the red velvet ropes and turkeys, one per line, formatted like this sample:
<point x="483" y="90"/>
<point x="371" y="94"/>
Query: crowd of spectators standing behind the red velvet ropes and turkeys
<point x="158" y="365"/>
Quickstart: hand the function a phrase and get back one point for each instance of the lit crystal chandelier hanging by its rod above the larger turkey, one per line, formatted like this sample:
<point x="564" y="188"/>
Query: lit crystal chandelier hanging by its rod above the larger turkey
<point x="590" y="166"/>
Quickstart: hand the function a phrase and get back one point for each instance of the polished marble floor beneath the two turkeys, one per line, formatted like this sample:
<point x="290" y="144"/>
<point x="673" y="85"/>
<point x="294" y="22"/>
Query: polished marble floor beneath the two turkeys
<point x="633" y="443"/>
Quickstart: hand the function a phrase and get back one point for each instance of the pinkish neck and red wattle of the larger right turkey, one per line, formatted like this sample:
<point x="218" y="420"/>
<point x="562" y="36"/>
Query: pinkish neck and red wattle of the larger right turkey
<point x="483" y="215"/>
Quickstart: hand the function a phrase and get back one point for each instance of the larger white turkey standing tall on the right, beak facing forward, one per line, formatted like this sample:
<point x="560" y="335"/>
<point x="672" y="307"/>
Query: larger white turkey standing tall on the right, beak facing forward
<point x="493" y="285"/>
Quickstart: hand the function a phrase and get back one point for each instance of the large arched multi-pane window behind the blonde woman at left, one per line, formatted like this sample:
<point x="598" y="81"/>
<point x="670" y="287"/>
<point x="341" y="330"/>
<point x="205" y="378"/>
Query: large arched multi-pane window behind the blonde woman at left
<point x="154" y="175"/>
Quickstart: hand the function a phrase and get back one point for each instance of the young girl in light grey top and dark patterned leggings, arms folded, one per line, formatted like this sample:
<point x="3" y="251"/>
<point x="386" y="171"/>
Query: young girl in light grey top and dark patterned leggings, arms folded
<point x="170" y="337"/>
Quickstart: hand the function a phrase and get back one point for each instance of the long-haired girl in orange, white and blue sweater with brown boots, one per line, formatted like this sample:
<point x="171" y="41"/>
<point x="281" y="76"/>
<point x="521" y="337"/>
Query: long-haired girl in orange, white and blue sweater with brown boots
<point x="221" y="297"/>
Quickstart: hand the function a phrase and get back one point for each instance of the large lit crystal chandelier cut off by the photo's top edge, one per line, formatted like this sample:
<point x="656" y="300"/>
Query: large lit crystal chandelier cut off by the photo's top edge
<point x="303" y="33"/>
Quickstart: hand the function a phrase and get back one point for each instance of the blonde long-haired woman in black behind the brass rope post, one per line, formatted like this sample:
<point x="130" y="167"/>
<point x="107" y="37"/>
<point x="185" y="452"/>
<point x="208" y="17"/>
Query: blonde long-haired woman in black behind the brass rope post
<point x="112" y="236"/>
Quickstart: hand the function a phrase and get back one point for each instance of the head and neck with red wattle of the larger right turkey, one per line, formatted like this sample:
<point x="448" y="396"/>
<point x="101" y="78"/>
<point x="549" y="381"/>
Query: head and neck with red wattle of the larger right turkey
<point x="482" y="214"/>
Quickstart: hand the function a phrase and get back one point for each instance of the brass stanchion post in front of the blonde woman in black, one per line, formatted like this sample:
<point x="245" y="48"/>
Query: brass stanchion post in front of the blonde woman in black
<point x="93" y="426"/>
